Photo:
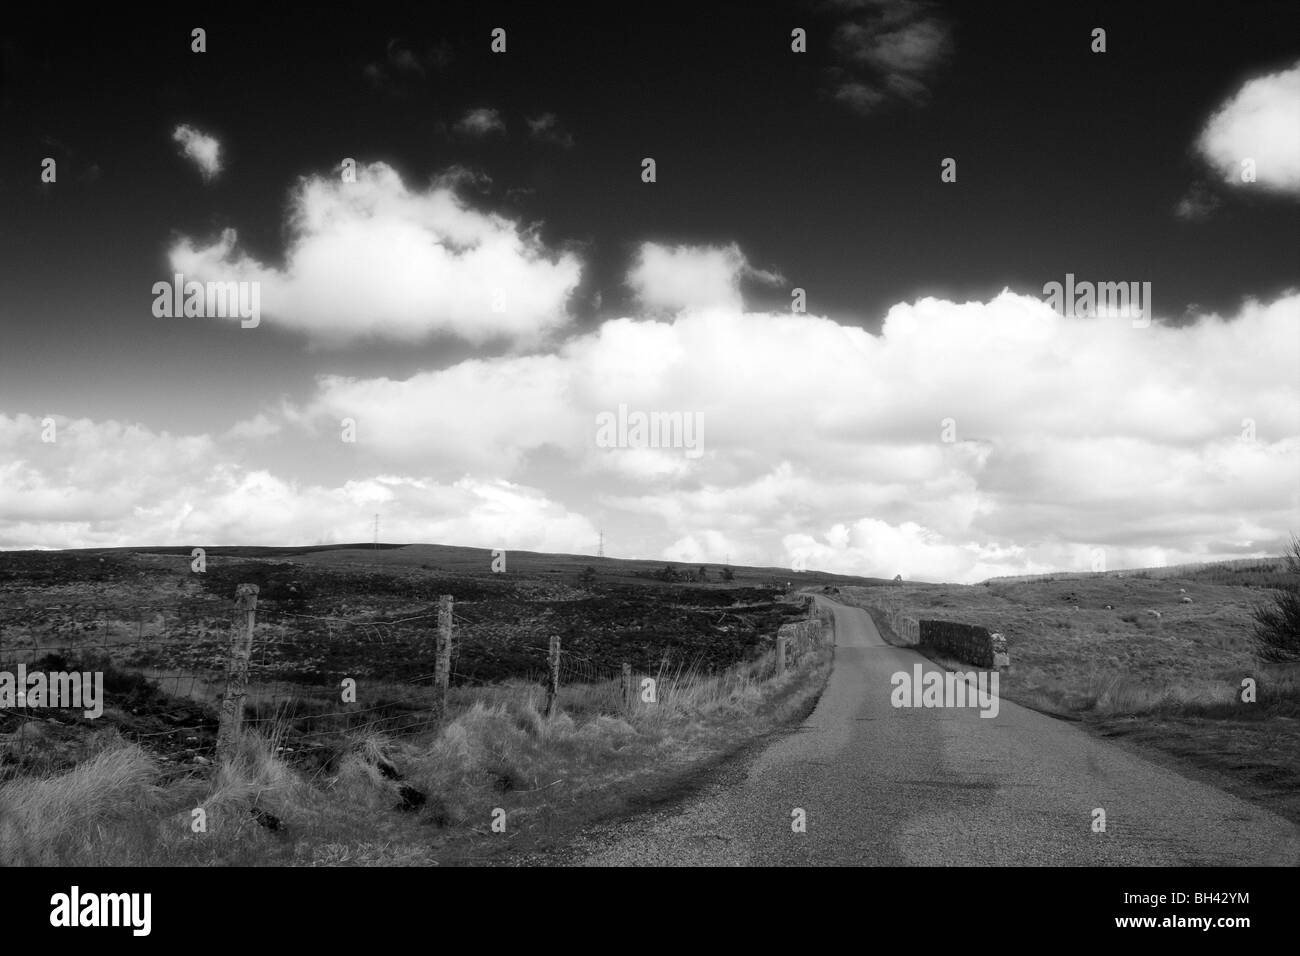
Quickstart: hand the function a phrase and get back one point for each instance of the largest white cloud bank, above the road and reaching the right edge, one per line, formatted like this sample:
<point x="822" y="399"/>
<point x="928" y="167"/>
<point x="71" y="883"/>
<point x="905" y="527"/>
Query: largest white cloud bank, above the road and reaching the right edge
<point x="1071" y="434"/>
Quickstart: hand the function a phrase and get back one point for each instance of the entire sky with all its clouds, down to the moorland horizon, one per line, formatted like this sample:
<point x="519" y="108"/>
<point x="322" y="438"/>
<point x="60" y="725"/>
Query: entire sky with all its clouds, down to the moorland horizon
<point x="818" y="171"/>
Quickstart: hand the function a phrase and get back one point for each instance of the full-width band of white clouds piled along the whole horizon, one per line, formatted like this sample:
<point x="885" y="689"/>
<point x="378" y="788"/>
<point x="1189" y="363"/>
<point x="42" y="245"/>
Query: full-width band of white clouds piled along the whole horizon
<point x="963" y="442"/>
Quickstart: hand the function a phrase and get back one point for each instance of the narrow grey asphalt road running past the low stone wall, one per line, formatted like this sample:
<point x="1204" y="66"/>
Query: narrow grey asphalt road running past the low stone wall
<point x="943" y="786"/>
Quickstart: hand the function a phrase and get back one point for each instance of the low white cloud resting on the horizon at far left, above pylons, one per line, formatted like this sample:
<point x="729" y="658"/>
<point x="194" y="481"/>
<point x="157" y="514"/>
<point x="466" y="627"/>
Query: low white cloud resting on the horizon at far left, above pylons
<point x="106" y="483"/>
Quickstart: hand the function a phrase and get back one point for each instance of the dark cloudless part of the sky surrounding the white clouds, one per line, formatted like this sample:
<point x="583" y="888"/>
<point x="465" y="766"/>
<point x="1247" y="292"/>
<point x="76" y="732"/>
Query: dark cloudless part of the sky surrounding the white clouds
<point x="1068" y="161"/>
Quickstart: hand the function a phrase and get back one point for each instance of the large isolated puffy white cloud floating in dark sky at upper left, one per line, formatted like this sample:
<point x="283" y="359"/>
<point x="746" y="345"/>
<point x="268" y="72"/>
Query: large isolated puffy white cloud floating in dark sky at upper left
<point x="378" y="259"/>
